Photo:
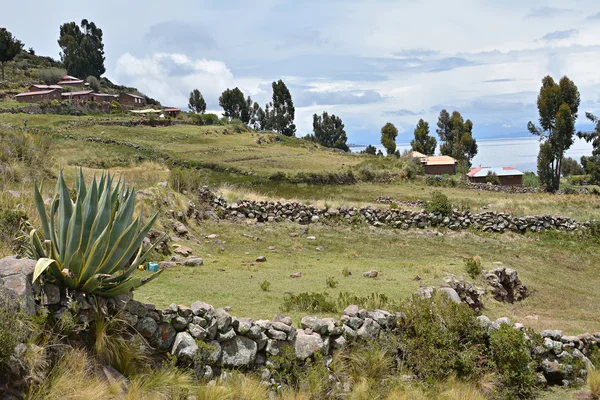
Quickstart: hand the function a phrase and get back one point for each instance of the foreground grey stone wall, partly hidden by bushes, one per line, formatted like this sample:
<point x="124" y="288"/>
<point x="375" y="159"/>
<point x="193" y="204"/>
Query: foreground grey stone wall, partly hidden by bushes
<point x="212" y="339"/>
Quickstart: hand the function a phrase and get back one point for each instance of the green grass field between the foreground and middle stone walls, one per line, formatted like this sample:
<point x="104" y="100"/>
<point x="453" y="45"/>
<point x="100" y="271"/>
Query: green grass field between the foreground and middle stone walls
<point x="561" y="271"/>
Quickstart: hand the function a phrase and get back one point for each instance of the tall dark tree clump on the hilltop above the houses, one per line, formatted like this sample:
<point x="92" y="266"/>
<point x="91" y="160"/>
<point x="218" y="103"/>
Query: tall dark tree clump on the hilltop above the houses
<point x="82" y="51"/>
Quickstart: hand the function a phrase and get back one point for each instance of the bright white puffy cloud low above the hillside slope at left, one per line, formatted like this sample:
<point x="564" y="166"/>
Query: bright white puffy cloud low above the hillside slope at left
<point x="170" y="77"/>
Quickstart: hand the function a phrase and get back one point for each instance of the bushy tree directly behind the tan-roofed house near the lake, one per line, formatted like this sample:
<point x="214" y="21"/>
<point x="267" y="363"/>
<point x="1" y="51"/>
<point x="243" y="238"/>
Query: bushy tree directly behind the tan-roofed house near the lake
<point x="456" y="136"/>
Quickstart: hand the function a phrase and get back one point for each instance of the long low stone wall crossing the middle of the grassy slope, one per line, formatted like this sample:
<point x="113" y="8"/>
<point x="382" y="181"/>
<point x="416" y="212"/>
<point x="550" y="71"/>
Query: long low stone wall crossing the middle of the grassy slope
<point x="263" y="211"/>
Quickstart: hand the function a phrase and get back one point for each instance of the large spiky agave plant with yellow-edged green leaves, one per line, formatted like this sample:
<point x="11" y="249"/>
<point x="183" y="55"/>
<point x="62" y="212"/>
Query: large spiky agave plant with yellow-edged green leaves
<point x="89" y="244"/>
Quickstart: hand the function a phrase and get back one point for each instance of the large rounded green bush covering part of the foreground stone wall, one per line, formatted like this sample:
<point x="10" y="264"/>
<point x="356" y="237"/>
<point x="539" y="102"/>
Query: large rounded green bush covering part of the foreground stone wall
<point x="441" y="338"/>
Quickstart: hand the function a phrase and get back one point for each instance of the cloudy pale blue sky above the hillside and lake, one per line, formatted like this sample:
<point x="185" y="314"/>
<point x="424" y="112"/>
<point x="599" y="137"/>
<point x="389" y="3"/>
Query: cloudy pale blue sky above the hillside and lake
<point x="369" y="62"/>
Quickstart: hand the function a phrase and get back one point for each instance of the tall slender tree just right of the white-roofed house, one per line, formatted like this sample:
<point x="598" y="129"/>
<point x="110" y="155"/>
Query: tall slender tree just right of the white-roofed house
<point x="557" y="107"/>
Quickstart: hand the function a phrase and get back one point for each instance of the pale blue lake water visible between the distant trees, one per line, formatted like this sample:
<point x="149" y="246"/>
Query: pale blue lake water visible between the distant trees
<point x="520" y="153"/>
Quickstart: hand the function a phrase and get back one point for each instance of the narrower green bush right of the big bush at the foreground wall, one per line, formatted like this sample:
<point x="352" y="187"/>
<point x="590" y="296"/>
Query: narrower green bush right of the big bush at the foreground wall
<point x="510" y="354"/>
